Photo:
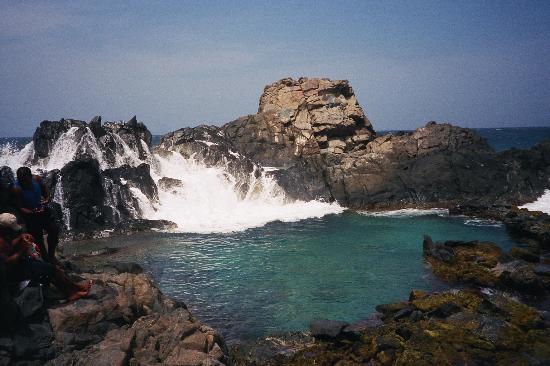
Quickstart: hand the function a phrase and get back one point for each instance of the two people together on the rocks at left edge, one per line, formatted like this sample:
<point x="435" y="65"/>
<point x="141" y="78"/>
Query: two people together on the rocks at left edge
<point x="24" y="255"/>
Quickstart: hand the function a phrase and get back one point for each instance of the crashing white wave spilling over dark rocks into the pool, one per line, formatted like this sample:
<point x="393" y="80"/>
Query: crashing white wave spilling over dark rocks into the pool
<point x="208" y="198"/>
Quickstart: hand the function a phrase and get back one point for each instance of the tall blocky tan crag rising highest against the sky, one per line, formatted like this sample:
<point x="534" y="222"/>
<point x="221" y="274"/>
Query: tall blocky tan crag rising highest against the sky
<point x="300" y="118"/>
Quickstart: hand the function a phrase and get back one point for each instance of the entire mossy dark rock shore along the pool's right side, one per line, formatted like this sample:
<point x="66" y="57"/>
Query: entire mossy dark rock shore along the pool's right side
<point x="495" y="311"/>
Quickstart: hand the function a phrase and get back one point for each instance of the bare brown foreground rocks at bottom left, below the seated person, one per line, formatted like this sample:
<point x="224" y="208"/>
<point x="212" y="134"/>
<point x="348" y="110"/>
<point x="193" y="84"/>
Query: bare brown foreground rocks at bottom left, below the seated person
<point x="124" y="320"/>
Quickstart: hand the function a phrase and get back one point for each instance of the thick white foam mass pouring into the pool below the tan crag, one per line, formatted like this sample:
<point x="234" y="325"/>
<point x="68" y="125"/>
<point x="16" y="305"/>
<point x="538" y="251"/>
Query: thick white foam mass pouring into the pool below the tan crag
<point x="209" y="201"/>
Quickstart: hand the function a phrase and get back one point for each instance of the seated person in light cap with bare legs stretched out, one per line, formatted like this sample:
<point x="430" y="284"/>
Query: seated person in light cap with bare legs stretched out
<point x="20" y="255"/>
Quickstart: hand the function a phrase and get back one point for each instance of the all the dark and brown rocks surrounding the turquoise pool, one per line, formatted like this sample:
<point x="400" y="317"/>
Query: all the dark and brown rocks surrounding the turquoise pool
<point x="313" y="138"/>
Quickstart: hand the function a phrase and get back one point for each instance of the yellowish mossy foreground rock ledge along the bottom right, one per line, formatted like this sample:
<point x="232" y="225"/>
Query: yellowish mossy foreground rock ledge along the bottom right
<point x="445" y="328"/>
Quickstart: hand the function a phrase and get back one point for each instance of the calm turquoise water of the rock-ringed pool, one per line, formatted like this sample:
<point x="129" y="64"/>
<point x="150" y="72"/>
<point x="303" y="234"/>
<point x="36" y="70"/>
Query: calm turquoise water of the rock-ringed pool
<point x="279" y="277"/>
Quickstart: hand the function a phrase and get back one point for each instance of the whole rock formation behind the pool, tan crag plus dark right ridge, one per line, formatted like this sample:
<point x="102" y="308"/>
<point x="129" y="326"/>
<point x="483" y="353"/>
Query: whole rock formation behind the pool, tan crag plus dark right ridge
<point x="317" y="134"/>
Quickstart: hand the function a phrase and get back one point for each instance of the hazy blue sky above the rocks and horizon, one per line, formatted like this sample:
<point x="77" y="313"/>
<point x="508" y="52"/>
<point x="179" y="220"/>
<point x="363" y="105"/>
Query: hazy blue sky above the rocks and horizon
<point x="183" y="63"/>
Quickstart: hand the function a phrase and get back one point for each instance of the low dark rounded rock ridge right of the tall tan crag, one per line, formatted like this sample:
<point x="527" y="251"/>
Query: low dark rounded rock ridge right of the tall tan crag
<point x="437" y="165"/>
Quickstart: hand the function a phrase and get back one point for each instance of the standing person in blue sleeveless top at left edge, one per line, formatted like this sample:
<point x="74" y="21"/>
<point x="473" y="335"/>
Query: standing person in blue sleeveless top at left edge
<point x="31" y="198"/>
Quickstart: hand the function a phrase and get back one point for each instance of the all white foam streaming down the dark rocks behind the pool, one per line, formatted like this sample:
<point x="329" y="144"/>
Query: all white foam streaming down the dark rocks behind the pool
<point x="210" y="199"/>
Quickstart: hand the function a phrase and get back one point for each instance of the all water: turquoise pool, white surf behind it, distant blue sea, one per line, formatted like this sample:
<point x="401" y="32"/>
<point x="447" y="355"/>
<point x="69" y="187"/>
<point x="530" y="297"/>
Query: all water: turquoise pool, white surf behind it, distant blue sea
<point x="263" y="266"/>
